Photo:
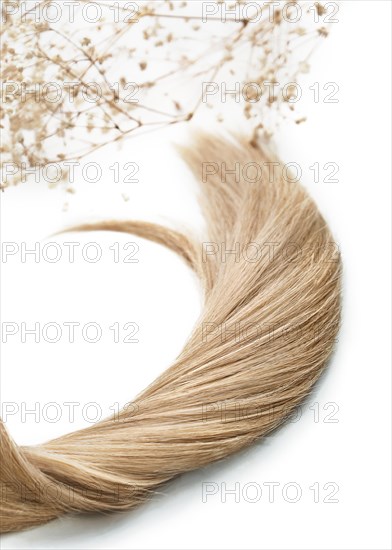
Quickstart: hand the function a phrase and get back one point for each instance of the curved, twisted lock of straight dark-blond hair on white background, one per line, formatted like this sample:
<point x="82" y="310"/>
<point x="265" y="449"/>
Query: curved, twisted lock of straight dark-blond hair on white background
<point x="288" y="302"/>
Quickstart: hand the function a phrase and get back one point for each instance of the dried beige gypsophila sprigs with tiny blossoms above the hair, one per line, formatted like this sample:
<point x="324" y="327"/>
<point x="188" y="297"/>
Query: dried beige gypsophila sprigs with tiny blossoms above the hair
<point x="161" y="59"/>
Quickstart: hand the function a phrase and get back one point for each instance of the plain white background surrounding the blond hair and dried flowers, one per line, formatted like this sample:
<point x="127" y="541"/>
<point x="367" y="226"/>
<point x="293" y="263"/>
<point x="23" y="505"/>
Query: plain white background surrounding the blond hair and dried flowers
<point x="163" y="297"/>
